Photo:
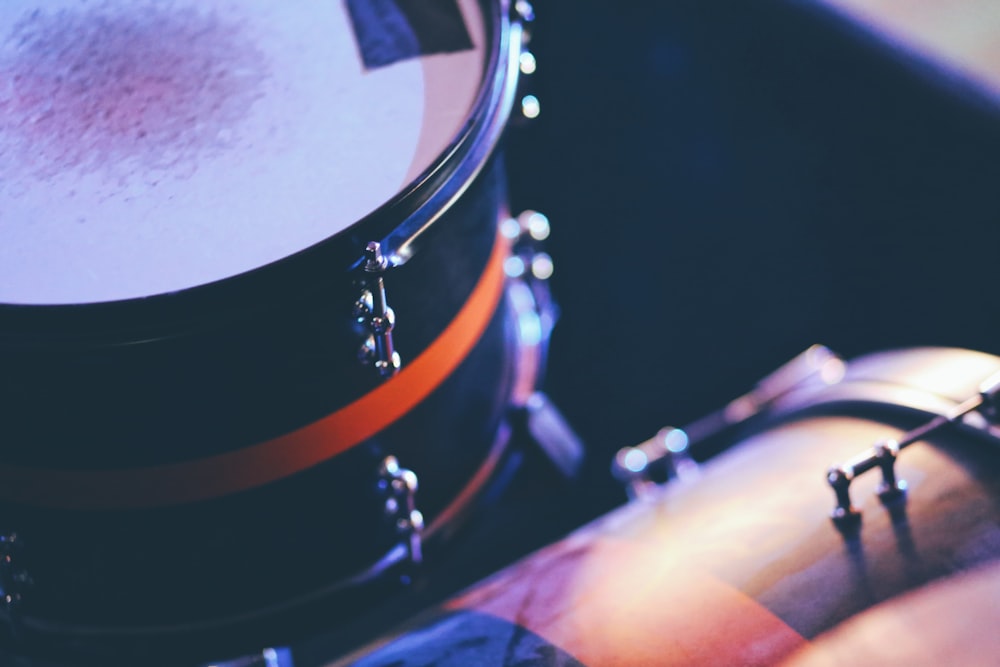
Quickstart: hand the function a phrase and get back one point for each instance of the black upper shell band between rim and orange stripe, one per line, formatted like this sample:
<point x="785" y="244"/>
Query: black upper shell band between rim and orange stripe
<point x="262" y="364"/>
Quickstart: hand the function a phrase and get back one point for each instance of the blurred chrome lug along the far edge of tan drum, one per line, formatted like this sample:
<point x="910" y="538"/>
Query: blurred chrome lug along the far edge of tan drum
<point x="669" y="450"/>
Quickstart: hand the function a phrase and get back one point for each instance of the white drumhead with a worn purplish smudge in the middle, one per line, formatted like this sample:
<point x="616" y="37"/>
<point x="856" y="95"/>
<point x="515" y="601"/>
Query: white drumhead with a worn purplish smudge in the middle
<point x="147" y="147"/>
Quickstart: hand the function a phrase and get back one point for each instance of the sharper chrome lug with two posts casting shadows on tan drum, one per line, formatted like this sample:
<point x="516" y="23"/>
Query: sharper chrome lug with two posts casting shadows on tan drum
<point x="883" y="455"/>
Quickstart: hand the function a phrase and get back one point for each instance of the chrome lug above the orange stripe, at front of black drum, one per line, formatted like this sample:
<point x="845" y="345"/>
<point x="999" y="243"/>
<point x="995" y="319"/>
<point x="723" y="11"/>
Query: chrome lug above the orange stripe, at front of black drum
<point x="373" y="312"/>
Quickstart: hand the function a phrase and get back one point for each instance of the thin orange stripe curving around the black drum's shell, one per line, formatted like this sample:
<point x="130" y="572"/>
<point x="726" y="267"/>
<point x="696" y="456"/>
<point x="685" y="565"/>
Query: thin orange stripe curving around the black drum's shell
<point x="280" y="457"/>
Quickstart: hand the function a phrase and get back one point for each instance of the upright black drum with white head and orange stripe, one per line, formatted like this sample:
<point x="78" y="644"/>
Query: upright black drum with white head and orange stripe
<point x="252" y="290"/>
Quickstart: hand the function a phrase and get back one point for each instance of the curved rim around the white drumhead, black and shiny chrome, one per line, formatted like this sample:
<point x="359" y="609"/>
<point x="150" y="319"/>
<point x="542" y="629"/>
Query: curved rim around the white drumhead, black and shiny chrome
<point x="397" y="223"/>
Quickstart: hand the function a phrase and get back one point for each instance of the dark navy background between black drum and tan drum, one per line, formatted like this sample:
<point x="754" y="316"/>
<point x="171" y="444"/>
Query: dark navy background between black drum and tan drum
<point x="729" y="182"/>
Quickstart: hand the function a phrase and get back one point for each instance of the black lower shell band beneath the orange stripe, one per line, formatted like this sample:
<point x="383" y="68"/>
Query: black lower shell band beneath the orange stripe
<point x="144" y="570"/>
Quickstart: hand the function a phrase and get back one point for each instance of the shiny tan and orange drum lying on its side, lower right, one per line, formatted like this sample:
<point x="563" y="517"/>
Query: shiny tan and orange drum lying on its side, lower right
<point x="743" y="565"/>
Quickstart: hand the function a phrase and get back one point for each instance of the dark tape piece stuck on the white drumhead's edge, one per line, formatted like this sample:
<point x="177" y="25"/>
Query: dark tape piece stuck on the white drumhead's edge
<point x="388" y="31"/>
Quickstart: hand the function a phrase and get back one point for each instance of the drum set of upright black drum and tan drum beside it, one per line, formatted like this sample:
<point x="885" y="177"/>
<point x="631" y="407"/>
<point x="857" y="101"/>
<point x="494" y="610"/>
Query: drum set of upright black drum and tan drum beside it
<point x="271" y="342"/>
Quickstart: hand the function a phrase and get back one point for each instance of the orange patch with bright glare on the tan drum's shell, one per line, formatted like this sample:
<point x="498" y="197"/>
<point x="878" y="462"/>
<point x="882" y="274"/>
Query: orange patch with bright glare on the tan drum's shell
<point x="619" y="602"/>
